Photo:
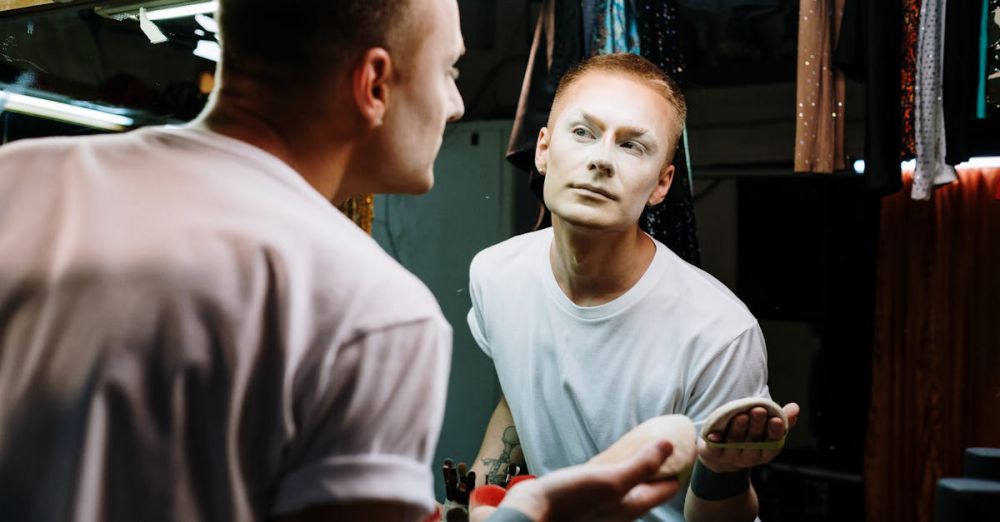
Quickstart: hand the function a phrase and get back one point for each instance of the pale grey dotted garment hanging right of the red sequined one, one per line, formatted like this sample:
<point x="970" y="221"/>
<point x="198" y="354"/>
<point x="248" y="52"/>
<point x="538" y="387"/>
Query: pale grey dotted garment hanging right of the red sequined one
<point x="931" y="169"/>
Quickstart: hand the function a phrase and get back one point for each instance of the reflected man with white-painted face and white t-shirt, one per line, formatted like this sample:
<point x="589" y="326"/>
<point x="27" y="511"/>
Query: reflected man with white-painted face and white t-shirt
<point x="592" y="325"/>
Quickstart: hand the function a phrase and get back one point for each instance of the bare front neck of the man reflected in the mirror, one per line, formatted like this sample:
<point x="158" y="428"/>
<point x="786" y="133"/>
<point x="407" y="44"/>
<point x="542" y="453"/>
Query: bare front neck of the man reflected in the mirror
<point x="594" y="267"/>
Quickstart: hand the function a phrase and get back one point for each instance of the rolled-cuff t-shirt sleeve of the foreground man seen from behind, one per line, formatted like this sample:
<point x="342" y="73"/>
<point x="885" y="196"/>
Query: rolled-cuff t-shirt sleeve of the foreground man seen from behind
<point x="371" y="418"/>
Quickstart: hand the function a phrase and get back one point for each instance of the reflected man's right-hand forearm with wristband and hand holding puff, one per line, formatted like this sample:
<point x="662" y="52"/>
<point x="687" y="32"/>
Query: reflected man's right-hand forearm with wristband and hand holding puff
<point x="720" y="487"/>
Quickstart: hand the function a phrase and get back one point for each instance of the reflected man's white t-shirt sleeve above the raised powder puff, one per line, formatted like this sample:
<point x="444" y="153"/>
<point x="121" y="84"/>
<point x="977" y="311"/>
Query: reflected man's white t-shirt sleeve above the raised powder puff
<point x="737" y="371"/>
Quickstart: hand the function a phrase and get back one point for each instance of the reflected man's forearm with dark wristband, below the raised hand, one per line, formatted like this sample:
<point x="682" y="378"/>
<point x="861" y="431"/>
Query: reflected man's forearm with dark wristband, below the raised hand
<point x="720" y="498"/>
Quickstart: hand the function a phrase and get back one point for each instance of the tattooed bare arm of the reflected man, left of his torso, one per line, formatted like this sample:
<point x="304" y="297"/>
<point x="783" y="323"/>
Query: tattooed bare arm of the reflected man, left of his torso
<point x="501" y="447"/>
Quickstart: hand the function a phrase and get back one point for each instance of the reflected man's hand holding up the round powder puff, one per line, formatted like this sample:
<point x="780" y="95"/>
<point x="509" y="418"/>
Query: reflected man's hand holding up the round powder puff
<point x="750" y="426"/>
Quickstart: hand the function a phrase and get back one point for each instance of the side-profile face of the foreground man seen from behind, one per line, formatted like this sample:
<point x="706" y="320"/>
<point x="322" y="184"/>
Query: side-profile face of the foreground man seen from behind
<point x="423" y="100"/>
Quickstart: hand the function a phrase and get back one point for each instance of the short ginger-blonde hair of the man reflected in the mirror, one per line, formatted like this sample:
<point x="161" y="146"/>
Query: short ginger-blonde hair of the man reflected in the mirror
<point x="636" y="67"/>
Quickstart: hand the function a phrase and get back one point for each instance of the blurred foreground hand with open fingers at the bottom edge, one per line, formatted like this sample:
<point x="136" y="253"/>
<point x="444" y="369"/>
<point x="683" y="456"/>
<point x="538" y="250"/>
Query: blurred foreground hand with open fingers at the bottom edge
<point x="605" y="492"/>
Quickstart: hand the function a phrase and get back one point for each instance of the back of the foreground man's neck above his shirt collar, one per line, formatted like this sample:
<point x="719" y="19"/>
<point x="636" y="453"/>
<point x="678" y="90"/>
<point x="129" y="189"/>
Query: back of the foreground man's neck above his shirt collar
<point x="239" y="112"/>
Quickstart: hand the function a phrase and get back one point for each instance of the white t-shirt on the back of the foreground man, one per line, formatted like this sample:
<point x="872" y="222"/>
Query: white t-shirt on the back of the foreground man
<point x="189" y="331"/>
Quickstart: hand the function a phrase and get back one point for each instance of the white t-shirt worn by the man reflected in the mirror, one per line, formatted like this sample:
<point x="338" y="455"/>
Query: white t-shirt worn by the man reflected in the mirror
<point x="578" y="378"/>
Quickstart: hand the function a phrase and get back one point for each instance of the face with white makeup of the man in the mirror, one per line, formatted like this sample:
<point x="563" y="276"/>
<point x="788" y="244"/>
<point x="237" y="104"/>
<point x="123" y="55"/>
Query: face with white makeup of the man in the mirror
<point x="604" y="157"/>
